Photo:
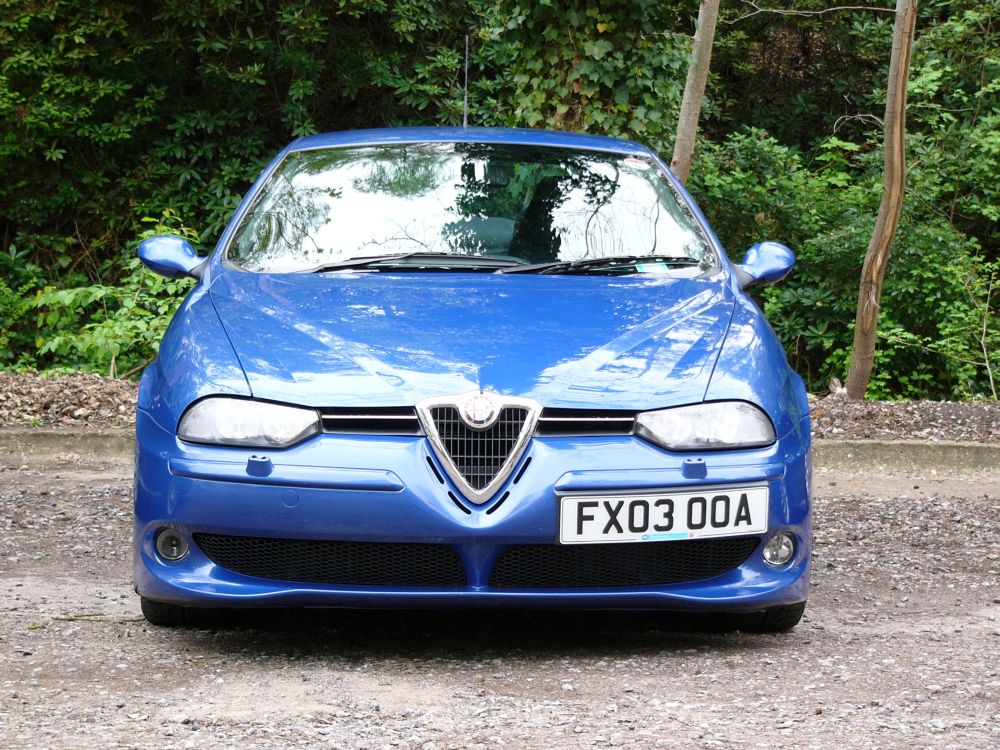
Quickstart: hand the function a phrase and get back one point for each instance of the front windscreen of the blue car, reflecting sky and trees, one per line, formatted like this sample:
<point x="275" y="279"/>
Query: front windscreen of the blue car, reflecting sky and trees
<point x="498" y="204"/>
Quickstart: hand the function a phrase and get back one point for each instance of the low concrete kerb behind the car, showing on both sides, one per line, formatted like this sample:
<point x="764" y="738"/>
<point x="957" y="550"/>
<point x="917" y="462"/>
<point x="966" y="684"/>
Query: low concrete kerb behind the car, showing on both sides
<point x="857" y="456"/>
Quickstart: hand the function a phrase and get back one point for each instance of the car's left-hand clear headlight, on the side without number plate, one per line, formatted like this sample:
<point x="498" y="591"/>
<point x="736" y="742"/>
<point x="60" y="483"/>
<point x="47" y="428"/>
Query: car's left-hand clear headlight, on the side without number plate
<point x="237" y="421"/>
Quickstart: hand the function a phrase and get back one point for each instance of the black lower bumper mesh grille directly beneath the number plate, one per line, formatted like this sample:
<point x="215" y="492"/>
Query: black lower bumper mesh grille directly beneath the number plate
<point x="530" y="566"/>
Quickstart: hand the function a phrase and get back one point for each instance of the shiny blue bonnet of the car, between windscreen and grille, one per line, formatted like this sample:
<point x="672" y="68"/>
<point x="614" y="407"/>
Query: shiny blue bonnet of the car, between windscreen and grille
<point x="381" y="339"/>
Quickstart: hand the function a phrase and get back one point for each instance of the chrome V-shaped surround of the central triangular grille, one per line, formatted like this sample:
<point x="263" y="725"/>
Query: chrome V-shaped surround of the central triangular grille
<point x="478" y="497"/>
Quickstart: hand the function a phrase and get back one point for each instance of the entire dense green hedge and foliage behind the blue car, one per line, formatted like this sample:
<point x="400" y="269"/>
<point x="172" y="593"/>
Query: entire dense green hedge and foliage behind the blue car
<point x="117" y="118"/>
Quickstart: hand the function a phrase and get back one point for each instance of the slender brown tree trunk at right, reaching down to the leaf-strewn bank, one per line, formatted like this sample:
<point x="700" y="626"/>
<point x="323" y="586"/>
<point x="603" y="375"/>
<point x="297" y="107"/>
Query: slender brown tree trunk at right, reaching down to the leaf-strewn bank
<point x="863" y="350"/>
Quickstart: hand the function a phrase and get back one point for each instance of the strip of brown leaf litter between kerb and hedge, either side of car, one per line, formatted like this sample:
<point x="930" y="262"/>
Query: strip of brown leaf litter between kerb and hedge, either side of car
<point x="92" y="401"/>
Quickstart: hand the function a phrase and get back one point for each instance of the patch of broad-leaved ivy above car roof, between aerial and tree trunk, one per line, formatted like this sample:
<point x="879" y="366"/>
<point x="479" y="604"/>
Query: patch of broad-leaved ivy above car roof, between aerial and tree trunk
<point x="612" y="68"/>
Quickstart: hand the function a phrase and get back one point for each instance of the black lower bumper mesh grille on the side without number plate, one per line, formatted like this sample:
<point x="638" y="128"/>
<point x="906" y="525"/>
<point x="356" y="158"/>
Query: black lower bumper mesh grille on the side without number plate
<point x="346" y="563"/>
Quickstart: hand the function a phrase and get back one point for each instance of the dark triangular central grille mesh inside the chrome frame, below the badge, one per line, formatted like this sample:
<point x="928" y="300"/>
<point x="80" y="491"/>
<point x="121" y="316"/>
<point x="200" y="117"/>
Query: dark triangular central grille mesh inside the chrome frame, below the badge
<point x="478" y="454"/>
